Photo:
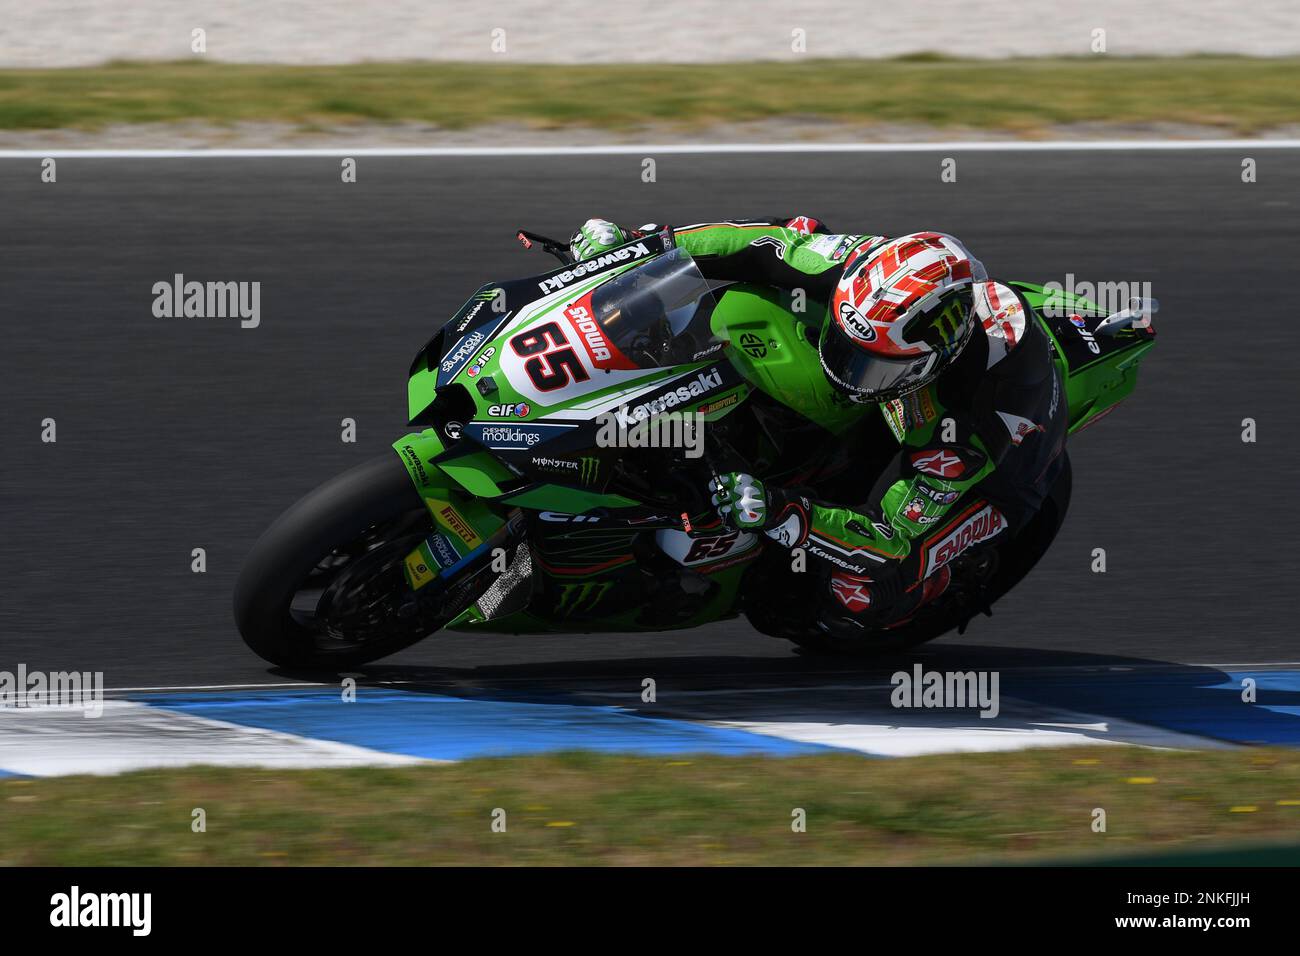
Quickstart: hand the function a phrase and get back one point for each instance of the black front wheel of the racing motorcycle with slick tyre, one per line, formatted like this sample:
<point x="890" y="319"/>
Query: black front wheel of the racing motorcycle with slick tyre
<point x="324" y="586"/>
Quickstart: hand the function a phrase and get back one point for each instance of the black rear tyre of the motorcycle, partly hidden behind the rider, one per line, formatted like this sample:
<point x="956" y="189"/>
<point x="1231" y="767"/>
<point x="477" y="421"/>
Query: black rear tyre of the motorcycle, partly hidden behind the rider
<point x="1012" y="563"/>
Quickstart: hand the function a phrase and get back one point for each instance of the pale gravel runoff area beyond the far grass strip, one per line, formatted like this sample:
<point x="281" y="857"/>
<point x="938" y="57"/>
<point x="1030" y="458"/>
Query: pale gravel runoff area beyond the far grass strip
<point x="79" y="33"/>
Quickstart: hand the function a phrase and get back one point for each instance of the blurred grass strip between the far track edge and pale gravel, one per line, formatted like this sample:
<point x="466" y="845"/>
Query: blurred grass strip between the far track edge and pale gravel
<point x="1017" y="97"/>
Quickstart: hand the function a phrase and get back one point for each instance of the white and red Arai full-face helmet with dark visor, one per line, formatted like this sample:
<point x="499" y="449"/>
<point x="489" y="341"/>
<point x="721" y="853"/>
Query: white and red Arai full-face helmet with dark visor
<point x="900" y="315"/>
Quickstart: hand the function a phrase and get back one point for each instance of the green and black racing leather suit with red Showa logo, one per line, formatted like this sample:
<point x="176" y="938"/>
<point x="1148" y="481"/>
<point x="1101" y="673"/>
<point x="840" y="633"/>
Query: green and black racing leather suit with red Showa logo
<point x="978" y="448"/>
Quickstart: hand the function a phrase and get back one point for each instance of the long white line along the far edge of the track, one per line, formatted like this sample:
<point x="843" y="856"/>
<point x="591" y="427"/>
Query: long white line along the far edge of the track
<point x="668" y="149"/>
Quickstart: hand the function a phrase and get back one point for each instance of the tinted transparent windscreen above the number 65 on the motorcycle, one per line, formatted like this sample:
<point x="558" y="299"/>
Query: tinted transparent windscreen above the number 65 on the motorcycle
<point x="657" y="315"/>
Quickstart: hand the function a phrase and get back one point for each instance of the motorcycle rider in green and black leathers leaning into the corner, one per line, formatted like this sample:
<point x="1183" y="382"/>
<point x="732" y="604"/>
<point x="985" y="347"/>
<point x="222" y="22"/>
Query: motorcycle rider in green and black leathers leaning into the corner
<point x="961" y="374"/>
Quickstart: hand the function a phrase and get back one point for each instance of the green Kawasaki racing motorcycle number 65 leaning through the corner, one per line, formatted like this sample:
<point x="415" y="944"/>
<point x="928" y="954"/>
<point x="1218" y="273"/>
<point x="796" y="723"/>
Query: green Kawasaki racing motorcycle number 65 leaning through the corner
<point x="534" y="496"/>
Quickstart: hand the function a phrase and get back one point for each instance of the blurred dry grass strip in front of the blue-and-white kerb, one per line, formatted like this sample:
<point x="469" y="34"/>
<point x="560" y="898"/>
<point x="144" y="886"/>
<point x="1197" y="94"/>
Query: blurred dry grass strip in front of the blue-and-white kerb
<point x="584" y="808"/>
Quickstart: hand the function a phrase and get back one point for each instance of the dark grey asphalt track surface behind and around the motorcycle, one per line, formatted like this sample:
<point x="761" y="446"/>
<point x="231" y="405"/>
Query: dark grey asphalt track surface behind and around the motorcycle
<point x="179" y="434"/>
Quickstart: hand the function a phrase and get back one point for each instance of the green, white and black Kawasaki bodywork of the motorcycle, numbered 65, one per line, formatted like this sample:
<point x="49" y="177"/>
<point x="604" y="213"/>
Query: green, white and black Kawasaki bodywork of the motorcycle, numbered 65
<point x="512" y="388"/>
